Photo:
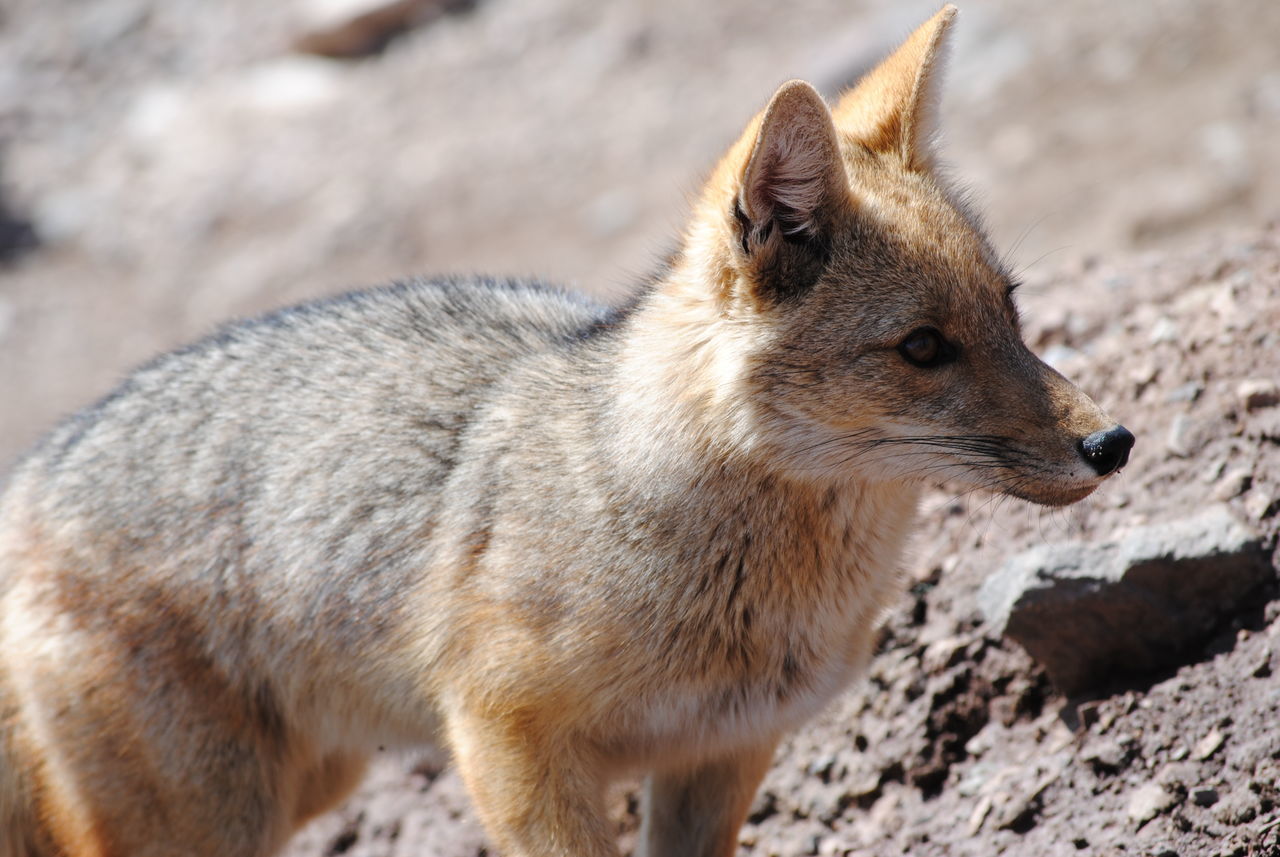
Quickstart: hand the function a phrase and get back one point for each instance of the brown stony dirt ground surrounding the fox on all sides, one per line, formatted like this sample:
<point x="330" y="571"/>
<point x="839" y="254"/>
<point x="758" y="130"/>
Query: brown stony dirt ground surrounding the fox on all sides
<point x="167" y="166"/>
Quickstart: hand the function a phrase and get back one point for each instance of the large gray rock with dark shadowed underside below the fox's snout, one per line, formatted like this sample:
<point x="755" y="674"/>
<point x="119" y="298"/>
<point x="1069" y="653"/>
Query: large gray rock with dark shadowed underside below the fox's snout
<point x="1137" y="603"/>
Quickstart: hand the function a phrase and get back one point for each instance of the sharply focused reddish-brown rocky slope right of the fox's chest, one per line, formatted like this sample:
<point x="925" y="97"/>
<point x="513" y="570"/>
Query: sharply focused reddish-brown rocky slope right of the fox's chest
<point x="959" y="744"/>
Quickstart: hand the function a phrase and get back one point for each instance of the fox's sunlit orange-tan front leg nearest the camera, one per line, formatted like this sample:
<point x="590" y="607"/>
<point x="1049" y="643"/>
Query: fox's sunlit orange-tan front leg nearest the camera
<point x="537" y="792"/>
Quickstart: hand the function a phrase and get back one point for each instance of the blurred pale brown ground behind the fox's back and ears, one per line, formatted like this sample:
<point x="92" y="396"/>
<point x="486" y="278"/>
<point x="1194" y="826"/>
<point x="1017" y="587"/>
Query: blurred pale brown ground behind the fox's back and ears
<point x="168" y="164"/>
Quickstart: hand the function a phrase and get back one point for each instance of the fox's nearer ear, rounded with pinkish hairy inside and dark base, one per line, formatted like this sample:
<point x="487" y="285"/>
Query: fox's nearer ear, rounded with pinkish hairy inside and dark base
<point x="792" y="186"/>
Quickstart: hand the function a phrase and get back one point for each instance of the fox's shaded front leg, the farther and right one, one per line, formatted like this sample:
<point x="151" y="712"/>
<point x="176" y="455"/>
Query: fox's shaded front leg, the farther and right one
<point x="697" y="813"/>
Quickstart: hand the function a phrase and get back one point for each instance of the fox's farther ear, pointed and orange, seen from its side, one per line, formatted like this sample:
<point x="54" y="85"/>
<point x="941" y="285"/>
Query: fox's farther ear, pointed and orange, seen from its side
<point x="893" y="109"/>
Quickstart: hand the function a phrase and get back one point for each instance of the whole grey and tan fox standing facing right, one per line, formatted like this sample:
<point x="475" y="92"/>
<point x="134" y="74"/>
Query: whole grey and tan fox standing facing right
<point x="568" y="543"/>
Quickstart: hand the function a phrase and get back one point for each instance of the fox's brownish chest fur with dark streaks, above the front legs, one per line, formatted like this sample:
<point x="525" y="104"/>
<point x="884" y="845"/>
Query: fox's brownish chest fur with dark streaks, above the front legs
<point x="771" y="644"/>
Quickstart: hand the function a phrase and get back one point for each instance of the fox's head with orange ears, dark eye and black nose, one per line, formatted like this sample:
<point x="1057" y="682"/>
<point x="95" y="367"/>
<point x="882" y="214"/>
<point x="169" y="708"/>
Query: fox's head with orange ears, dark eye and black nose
<point x="862" y="320"/>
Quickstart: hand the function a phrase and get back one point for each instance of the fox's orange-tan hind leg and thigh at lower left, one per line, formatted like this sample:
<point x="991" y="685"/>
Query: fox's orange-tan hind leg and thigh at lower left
<point x="131" y="743"/>
